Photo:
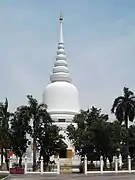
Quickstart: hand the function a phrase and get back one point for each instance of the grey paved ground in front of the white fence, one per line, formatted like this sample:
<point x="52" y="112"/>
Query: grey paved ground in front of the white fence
<point x="76" y="177"/>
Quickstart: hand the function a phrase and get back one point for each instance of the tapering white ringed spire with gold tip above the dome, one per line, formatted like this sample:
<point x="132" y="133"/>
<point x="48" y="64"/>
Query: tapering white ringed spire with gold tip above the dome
<point x="60" y="69"/>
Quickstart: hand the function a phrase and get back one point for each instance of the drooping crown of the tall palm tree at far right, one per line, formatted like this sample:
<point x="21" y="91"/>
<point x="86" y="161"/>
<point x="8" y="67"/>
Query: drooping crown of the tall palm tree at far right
<point x="124" y="107"/>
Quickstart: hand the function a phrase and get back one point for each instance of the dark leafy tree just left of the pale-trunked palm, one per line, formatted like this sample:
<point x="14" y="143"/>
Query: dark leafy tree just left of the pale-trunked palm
<point x="19" y="129"/>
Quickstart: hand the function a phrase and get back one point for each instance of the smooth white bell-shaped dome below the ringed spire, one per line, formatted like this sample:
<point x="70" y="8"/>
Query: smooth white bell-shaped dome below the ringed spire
<point x="61" y="97"/>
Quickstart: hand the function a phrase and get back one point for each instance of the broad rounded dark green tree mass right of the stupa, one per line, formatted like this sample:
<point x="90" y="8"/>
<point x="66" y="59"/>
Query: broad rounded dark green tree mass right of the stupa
<point x="95" y="135"/>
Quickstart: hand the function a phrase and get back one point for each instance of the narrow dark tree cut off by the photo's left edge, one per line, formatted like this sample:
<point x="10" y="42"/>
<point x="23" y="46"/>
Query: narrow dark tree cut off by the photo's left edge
<point x="4" y="131"/>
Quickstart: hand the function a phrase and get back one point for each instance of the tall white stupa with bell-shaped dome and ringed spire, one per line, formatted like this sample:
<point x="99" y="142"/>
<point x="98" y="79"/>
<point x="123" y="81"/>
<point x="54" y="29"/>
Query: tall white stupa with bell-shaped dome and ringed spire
<point x="60" y="95"/>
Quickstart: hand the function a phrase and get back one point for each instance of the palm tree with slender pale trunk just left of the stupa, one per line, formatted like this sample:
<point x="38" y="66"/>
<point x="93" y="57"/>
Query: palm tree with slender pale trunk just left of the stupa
<point x="37" y="112"/>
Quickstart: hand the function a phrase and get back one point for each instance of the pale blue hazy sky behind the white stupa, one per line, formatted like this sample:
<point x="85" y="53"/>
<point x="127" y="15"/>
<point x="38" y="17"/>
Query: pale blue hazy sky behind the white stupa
<point x="99" y="37"/>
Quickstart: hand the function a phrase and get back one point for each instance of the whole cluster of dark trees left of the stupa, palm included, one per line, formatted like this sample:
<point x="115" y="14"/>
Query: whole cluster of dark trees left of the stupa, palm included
<point x="32" y="119"/>
